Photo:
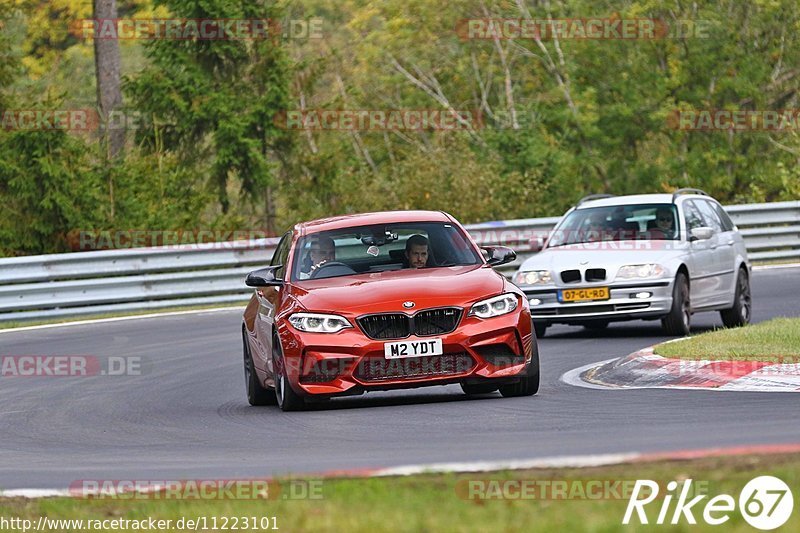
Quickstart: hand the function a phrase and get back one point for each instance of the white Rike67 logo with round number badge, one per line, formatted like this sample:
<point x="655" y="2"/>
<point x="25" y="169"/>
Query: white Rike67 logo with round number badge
<point x="765" y="503"/>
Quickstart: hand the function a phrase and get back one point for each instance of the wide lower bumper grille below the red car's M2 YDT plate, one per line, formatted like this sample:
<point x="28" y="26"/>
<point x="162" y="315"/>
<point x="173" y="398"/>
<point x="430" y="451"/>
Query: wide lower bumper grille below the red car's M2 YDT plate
<point x="380" y="369"/>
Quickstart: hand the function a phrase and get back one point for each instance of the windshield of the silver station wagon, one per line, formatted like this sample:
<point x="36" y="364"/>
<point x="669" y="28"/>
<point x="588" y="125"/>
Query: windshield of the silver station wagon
<point x="617" y="223"/>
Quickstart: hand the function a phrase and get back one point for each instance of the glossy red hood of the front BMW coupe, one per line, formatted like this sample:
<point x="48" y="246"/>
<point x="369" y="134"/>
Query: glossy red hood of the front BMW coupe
<point x="386" y="291"/>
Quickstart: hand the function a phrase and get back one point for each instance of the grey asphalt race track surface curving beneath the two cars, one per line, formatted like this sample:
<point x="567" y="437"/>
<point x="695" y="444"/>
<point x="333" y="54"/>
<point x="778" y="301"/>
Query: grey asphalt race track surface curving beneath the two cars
<point x="187" y="416"/>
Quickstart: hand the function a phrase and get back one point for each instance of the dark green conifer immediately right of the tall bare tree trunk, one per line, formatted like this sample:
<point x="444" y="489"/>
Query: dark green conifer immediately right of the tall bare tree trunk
<point x="212" y="101"/>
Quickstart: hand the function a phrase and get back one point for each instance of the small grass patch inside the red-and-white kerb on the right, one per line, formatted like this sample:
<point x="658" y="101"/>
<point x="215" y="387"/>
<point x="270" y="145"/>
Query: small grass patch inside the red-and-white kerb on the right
<point x="776" y="340"/>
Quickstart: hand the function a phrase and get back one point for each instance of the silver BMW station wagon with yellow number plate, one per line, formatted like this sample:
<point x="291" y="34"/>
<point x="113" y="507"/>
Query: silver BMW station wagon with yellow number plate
<point x="649" y="256"/>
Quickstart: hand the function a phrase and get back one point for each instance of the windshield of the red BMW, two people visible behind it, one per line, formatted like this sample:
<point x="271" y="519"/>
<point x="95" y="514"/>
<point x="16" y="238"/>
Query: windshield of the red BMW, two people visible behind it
<point x="379" y="248"/>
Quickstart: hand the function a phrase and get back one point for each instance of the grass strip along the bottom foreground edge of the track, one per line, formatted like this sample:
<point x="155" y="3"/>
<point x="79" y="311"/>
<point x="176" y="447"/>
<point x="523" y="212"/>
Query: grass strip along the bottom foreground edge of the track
<point x="441" y="502"/>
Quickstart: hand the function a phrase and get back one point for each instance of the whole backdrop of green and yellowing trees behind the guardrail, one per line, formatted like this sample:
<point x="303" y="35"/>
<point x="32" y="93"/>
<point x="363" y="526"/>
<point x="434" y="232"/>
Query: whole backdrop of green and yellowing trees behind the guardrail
<point x="560" y="119"/>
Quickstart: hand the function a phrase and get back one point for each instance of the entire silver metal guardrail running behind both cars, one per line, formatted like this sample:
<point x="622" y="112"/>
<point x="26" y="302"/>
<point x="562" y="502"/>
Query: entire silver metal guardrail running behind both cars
<point x="90" y="283"/>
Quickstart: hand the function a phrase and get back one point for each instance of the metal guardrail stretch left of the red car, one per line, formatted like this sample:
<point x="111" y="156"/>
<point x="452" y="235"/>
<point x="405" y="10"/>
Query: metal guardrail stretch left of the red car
<point x="113" y="281"/>
